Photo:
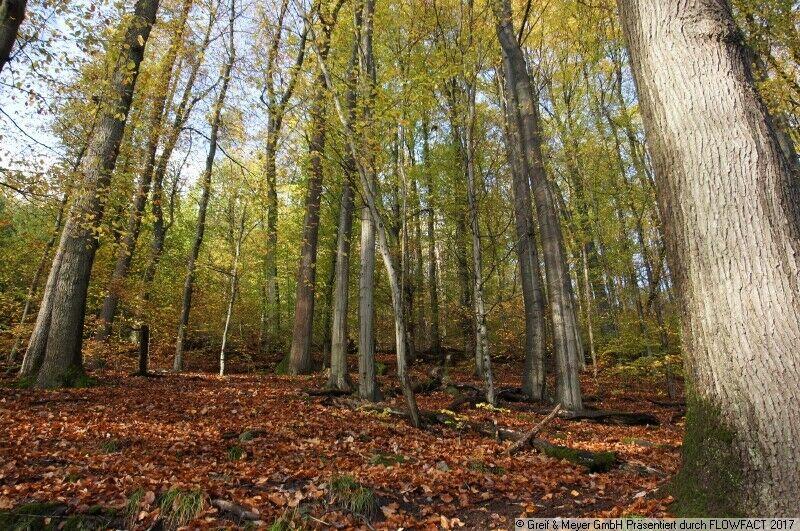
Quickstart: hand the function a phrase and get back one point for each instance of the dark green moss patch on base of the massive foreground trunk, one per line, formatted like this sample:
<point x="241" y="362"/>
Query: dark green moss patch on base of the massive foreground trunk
<point x="710" y="482"/>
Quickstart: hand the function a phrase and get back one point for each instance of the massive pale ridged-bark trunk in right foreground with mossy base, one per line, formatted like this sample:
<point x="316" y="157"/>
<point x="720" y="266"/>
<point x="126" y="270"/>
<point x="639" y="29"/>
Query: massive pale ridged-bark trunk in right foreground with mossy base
<point x="730" y="200"/>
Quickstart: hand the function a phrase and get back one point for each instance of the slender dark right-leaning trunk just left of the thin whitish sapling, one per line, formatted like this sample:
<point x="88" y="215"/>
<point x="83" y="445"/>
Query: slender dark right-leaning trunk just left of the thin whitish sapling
<point x="205" y="180"/>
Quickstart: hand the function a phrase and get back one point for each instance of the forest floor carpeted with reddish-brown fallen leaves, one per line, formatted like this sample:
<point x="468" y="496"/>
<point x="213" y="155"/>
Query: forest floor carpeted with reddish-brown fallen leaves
<point x="133" y="452"/>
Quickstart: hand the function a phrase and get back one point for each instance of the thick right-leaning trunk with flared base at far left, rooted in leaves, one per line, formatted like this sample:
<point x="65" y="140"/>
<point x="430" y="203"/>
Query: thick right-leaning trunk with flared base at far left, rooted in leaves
<point x="54" y="351"/>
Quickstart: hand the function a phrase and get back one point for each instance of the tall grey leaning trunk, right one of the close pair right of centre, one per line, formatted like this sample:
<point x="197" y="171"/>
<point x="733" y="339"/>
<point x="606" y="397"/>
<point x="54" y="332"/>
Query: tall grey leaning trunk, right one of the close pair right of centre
<point x="525" y="114"/>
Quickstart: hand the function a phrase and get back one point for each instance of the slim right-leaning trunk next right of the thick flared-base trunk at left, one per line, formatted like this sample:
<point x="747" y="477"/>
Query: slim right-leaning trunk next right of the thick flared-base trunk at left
<point x="154" y="127"/>
